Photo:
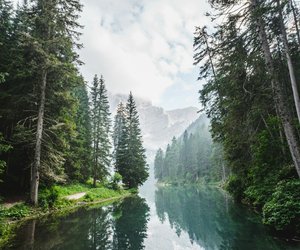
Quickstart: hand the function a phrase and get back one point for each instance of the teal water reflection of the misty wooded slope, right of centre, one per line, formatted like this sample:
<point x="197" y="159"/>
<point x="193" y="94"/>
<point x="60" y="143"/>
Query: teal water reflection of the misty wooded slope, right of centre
<point x="210" y="219"/>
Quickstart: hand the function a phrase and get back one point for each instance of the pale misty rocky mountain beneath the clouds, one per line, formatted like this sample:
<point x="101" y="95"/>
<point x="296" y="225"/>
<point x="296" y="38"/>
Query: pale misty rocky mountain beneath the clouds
<point x="158" y="126"/>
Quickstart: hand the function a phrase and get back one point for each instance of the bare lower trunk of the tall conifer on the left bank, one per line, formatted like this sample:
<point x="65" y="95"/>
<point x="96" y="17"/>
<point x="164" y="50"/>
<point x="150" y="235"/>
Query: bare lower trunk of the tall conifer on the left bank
<point x="35" y="175"/>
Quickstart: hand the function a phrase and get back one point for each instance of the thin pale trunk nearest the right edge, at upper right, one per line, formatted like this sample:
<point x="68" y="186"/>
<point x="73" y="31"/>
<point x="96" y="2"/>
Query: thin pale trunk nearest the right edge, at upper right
<point x="289" y="60"/>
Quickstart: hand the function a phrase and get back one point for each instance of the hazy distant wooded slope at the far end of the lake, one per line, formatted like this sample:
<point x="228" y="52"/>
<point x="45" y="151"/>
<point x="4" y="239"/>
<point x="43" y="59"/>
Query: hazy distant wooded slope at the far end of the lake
<point x="193" y="157"/>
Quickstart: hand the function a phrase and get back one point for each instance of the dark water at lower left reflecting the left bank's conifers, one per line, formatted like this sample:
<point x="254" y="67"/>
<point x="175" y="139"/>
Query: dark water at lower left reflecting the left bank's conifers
<point x="120" y="226"/>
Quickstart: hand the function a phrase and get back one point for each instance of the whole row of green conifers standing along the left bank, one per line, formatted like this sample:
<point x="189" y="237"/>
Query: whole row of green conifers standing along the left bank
<point x="50" y="130"/>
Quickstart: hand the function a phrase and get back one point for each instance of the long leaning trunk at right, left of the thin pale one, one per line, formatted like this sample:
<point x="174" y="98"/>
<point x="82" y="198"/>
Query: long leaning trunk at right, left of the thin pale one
<point x="278" y="96"/>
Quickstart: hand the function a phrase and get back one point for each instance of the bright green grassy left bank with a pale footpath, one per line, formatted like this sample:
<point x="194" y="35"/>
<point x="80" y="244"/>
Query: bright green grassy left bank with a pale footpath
<point x="56" y="200"/>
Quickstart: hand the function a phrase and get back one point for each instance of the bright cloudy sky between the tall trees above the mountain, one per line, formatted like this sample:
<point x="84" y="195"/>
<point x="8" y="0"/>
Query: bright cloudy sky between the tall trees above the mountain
<point x="144" y="46"/>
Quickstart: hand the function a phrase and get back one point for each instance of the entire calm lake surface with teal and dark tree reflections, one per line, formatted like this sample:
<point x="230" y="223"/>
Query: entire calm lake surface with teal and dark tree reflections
<point x="169" y="218"/>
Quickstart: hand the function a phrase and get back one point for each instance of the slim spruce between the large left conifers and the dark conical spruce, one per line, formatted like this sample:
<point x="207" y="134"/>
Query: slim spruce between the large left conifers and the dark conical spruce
<point x="100" y="130"/>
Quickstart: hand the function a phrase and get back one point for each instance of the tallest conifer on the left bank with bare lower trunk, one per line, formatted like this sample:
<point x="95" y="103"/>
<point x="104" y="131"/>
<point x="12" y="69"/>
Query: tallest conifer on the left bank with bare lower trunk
<point x="37" y="100"/>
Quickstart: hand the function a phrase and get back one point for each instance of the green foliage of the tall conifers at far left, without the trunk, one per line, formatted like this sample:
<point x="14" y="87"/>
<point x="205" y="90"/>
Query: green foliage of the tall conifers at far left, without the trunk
<point x="25" y="51"/>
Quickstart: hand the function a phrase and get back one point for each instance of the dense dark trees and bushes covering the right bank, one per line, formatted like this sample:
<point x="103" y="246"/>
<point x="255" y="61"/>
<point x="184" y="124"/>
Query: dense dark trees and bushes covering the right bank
<point x="251" y="65"/>
